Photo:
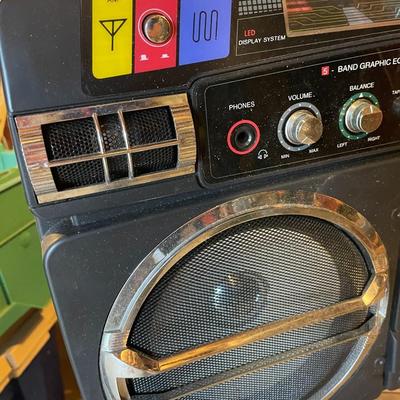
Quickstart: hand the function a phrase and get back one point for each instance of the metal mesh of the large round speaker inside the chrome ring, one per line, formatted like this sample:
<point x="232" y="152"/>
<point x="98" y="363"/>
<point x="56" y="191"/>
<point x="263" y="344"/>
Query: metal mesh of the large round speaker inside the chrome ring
<point x="249" y="275"/>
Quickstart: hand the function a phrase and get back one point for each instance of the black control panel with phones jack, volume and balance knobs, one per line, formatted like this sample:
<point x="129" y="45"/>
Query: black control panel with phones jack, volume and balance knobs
<point x="301" y="115"/>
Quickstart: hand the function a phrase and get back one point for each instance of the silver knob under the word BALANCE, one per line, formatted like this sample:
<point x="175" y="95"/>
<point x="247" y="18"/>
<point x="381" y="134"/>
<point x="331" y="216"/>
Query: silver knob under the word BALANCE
<point x="363" y="117"/>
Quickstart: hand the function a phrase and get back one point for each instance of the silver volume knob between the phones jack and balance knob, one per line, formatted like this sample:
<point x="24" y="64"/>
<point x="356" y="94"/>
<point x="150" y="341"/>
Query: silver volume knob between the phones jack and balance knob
<point x="303" y="128"/>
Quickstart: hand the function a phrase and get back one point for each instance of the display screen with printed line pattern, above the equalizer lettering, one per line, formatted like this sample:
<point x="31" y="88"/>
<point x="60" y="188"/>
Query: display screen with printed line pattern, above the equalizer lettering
<point x="307" y="17"/>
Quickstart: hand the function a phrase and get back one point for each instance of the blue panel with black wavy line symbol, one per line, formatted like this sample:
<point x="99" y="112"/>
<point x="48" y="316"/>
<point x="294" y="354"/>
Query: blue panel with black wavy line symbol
<point x="205" y="30"/>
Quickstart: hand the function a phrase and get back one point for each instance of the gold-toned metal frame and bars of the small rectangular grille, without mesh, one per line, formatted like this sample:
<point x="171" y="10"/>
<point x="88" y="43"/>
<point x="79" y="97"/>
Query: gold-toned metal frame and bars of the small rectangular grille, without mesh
<point x="39" y="167"/>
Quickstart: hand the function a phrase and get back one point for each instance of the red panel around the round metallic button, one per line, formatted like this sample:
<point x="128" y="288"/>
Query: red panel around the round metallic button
<point x="150" y="57"/>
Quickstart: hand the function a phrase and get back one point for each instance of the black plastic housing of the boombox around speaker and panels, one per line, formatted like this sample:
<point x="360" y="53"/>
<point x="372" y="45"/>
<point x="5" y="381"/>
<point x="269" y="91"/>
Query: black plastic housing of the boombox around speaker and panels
<point x="104" y="237"/>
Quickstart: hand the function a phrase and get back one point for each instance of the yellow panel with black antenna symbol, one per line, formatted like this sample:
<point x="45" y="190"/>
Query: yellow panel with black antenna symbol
<point x="112" y="36"/>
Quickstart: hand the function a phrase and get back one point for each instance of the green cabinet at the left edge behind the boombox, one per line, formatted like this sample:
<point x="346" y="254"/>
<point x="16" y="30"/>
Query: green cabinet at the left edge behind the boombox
<point x="22" y="282"/>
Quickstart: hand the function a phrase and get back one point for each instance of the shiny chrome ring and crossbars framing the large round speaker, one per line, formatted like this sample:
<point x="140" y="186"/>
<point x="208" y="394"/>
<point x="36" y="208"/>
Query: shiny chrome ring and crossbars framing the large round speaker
<point x="116" y="366"/>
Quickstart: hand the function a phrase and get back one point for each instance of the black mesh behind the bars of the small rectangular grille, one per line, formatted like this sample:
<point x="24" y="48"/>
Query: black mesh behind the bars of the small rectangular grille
<point x="69" y="139"/>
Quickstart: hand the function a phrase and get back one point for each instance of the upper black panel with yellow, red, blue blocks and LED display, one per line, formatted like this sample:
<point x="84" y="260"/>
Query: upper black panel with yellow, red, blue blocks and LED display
<point x="133" y="45"/>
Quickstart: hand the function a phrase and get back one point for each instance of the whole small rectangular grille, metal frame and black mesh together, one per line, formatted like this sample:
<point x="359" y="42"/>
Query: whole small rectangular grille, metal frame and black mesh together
<point x="85" y="151"/>
